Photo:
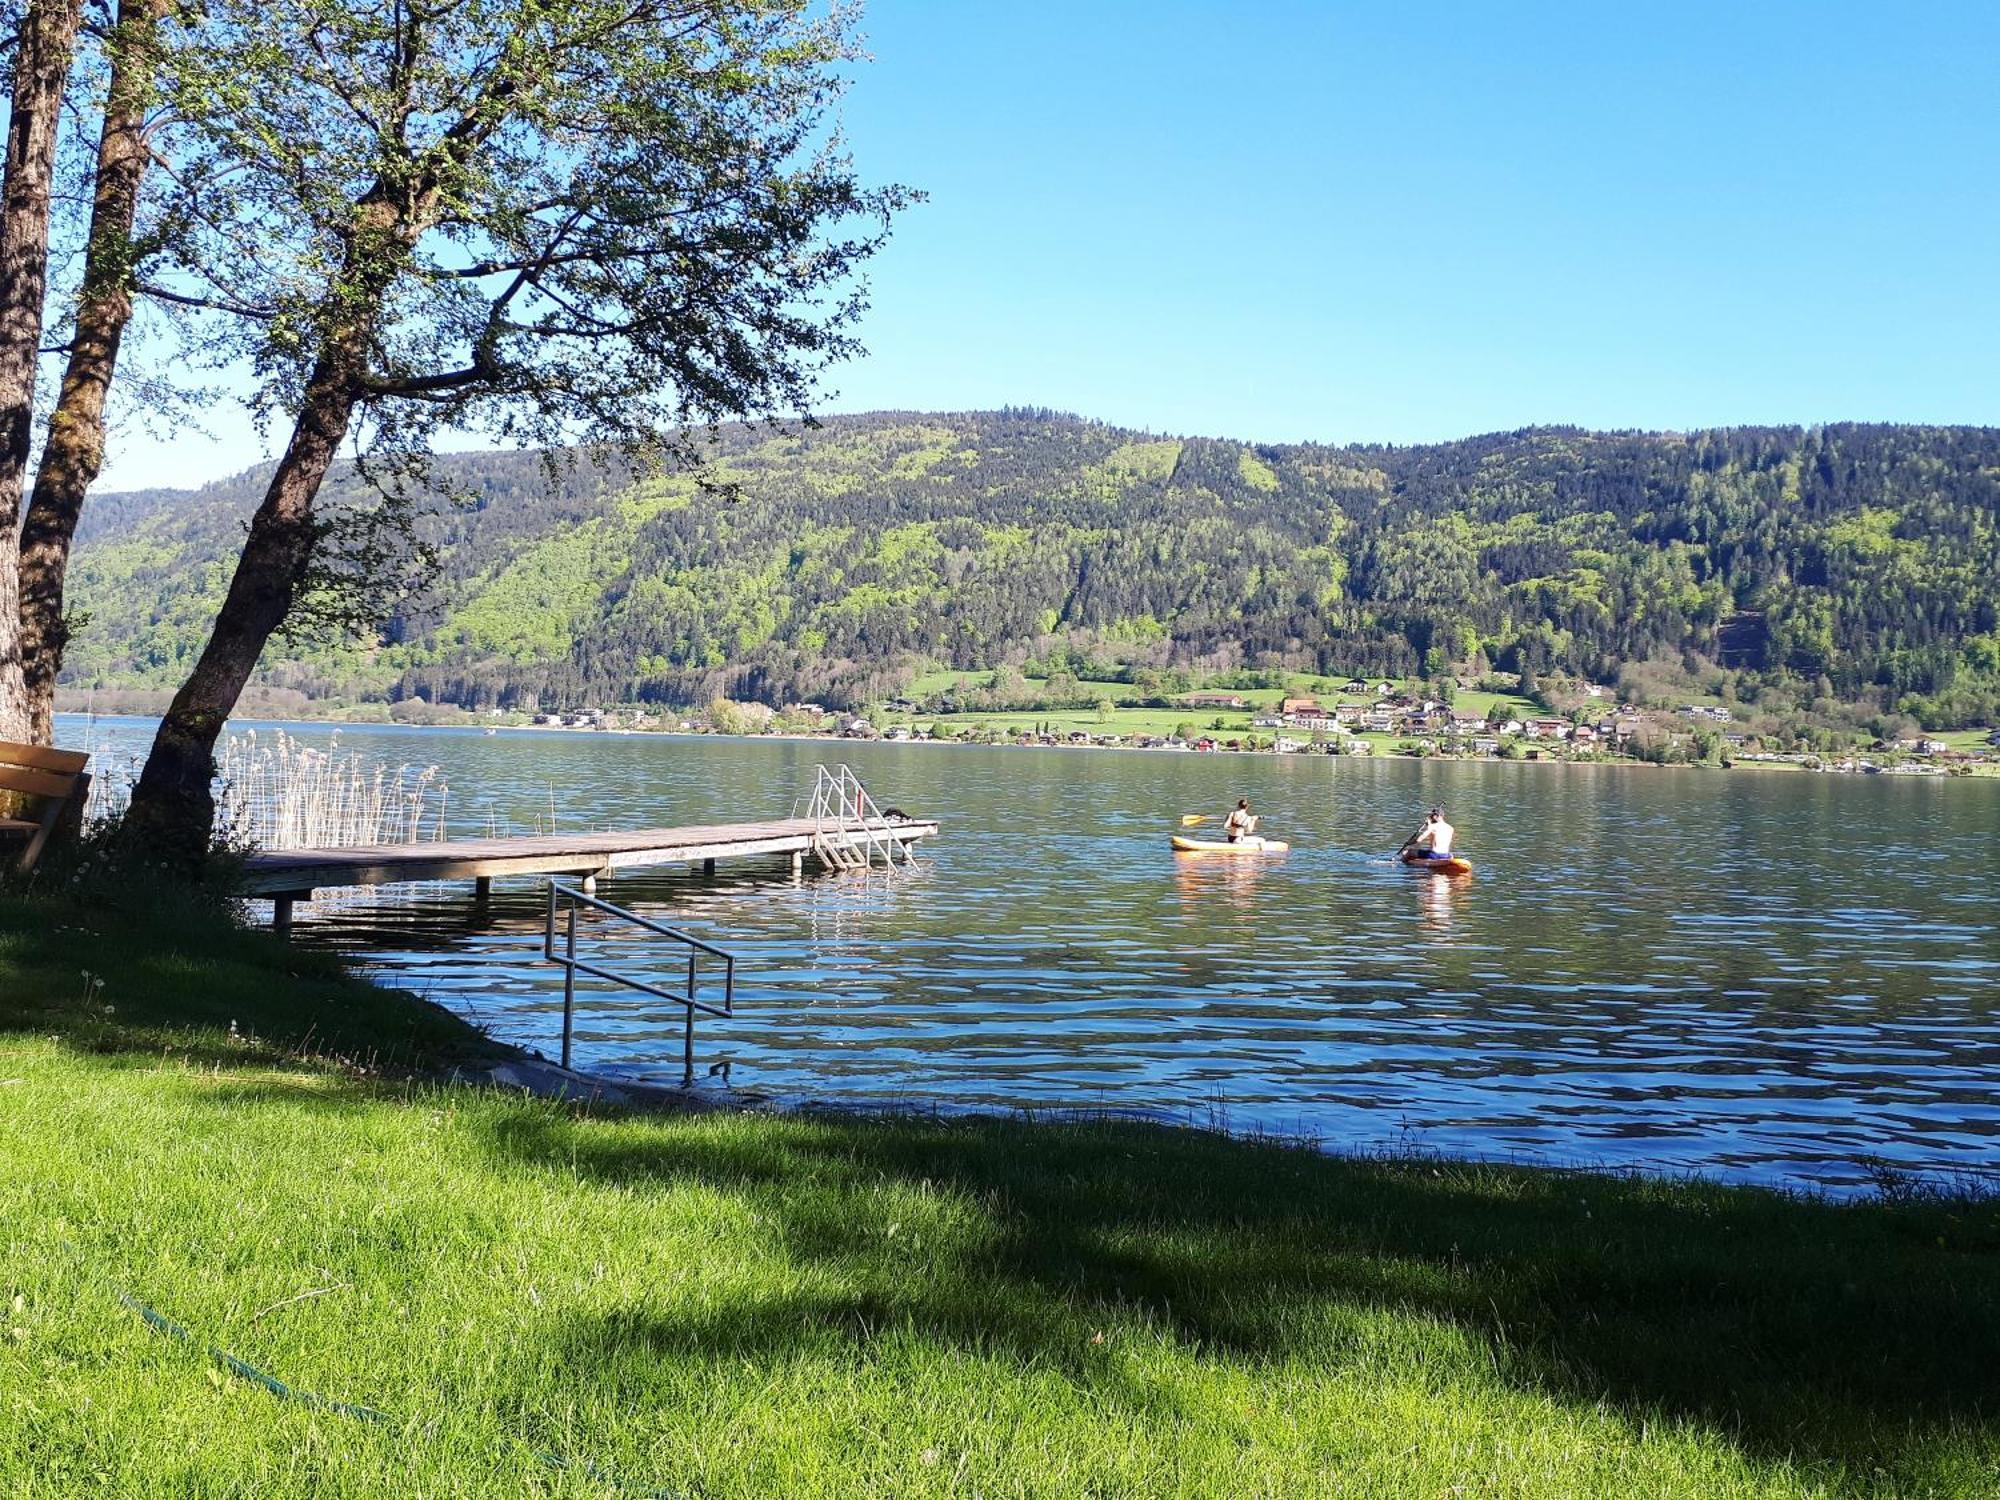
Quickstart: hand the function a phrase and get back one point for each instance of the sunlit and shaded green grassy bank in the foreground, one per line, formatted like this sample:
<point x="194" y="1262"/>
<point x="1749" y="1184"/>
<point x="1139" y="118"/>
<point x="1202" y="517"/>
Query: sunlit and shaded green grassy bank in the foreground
<point x="805" y="1307"/>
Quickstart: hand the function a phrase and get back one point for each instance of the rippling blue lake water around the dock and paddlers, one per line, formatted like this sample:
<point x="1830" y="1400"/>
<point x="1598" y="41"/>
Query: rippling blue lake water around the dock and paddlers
<point x="1769" y="977"/>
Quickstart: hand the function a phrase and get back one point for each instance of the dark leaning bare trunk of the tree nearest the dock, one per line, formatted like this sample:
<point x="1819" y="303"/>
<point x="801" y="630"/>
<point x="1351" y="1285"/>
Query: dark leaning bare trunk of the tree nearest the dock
<point x="173" y="807"/>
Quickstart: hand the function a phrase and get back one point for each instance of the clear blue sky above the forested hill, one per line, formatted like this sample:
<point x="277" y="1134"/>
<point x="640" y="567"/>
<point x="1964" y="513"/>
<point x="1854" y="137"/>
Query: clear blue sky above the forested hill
<point x="1419" y="221"/>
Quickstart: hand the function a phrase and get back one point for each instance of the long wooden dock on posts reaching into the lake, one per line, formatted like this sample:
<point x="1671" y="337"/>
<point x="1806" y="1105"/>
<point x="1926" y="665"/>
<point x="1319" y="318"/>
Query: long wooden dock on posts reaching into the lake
<point x="287" y="877"/>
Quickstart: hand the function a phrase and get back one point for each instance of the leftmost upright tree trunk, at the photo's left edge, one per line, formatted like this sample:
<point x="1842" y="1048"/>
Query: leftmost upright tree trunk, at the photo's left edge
<point x="41" y="75"/>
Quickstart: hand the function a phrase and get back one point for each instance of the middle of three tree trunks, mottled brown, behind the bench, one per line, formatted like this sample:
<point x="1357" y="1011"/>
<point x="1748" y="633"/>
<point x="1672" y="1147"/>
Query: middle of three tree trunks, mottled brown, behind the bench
<point x="75" y="449"/>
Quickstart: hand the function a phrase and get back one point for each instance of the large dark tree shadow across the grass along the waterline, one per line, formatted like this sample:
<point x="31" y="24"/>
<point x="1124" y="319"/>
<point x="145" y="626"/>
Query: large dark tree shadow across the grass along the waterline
<point x="1853" y="1335"/>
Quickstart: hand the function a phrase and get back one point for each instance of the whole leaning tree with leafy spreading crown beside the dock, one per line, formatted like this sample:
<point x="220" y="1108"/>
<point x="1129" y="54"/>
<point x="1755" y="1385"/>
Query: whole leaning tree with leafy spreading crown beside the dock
<point x="551" y="221"/>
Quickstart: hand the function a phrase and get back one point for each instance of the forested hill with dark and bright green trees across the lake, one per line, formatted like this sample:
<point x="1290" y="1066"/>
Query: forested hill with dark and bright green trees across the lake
<point x="1859" y="563"/>
